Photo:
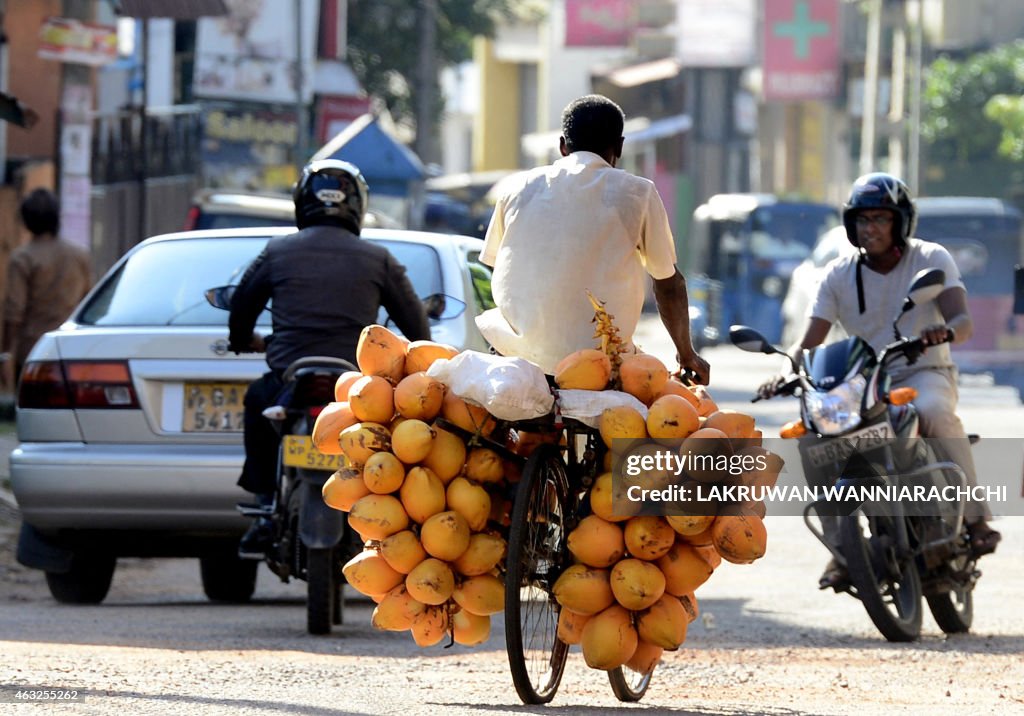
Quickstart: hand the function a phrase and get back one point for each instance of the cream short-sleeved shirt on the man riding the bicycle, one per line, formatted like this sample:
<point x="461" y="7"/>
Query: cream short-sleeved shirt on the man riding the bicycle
<point x="564" y="229"/>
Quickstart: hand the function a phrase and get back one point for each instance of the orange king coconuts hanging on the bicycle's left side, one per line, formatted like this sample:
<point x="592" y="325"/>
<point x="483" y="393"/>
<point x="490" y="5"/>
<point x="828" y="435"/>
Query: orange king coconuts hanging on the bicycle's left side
<point x="428" y="503"/>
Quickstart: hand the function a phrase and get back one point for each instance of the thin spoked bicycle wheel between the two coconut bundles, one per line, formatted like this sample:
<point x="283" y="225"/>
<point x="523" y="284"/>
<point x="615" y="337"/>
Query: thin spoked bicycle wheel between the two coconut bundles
<point x="537" y="556"/>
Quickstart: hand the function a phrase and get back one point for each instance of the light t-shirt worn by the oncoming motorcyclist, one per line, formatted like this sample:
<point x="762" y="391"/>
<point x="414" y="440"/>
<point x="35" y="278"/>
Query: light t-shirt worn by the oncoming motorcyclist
<point x="884" y="294"/>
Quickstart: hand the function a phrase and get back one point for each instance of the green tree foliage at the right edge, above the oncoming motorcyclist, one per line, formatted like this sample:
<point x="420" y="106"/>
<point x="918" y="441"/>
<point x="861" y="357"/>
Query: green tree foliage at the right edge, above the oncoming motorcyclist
<point x="963" y="119"/>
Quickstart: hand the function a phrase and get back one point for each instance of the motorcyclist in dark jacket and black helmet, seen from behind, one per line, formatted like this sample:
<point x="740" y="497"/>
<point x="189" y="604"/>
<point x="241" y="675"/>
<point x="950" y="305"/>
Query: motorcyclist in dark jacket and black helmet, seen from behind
<point x="327" y="285"/>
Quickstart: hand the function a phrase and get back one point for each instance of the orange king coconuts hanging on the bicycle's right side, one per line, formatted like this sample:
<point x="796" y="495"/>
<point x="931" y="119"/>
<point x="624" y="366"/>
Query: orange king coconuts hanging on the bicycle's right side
<point x="631" y="595"/>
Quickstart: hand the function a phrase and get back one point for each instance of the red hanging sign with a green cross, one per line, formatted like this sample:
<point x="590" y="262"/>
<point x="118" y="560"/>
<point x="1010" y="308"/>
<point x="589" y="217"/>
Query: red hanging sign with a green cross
<point x="802" y="58"/>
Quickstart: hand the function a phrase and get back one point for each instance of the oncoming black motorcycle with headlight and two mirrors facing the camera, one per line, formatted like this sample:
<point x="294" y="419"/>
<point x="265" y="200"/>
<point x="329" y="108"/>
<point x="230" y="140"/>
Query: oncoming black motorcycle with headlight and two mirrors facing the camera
<point x="856" y="432"/>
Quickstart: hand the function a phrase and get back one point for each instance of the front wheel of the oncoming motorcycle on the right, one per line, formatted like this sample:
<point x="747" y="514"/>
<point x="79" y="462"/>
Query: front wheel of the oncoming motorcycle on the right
<point x="888" y="584"/>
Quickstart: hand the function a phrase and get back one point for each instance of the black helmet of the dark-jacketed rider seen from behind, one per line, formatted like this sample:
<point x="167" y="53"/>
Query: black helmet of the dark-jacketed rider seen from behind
<point x="331" y="192"/>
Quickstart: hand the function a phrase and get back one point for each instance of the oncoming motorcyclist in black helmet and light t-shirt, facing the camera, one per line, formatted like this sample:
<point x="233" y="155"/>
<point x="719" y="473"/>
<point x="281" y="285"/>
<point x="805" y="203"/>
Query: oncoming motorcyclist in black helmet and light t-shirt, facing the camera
<point x="864" y="292"/>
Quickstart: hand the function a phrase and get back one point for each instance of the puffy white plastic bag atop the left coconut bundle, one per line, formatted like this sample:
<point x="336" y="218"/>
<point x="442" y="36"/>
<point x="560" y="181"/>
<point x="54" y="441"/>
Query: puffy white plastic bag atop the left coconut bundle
<point x="511" y="389"/>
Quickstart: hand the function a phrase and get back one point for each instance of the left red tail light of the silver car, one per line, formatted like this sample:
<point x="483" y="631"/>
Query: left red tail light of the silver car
<point x="80" y="385"/>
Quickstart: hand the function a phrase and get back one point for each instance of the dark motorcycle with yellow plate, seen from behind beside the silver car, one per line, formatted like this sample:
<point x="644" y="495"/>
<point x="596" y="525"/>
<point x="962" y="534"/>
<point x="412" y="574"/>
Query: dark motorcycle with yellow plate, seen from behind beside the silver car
<point x="312" y="541"/>
